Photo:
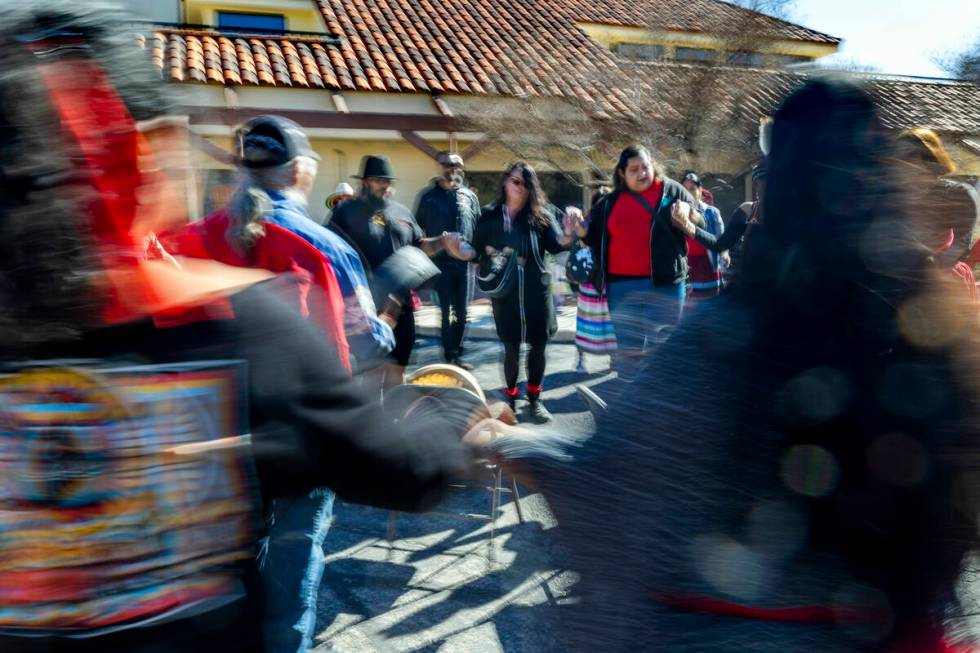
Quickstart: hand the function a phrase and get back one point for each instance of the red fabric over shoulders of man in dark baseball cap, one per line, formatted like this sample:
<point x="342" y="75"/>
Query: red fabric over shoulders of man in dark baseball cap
<point x="280" y="250"/>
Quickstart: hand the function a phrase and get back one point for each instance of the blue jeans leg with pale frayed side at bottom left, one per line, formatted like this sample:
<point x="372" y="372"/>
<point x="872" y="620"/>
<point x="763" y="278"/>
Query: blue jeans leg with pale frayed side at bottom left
<point x="291" y="563"/>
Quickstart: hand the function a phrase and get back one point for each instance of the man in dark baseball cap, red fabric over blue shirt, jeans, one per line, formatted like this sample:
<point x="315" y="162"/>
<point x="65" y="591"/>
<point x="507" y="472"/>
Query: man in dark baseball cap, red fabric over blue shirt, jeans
<point x="276" y="168"/>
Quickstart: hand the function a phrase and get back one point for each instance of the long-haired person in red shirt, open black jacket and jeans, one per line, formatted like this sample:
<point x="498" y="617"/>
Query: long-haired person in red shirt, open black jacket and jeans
<point x="642" y="257"/>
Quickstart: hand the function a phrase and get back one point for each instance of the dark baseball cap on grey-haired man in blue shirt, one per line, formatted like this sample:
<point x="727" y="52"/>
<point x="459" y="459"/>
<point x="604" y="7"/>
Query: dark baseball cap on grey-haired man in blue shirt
<point x="269" y="141"/>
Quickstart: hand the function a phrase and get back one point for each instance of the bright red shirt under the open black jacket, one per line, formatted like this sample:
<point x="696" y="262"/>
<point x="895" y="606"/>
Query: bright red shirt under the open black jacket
<point x="629" y="233"/>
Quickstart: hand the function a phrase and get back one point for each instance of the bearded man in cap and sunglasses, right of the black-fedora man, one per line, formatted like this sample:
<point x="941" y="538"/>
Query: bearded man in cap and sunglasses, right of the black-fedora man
<point x="449" y="206"/>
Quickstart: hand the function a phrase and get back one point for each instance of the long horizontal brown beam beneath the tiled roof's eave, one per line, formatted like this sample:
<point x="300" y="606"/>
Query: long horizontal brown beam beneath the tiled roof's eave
<point x="327" y="119"/>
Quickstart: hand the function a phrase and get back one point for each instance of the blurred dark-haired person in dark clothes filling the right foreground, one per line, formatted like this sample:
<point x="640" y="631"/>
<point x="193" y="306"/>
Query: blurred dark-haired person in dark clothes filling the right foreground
<point x="808" y="482"/>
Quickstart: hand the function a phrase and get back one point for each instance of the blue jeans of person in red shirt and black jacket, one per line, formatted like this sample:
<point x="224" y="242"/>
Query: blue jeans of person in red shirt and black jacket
<point x="642" y="314"/>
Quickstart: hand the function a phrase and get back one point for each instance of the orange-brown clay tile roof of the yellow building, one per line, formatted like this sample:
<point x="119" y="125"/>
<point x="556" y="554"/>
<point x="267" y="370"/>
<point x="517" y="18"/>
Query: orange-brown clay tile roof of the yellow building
<point x="523" y="49"/>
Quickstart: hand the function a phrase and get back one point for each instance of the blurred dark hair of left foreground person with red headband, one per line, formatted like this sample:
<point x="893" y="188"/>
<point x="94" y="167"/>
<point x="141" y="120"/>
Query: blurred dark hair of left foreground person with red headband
<point x="49" y="270"/>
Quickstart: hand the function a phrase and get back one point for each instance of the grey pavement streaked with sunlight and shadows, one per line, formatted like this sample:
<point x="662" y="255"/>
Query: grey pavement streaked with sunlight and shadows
<point x="438" y="587"/>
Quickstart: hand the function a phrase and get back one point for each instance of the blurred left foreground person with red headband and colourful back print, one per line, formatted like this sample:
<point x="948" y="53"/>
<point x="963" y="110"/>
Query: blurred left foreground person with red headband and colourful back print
<point x="77" y="285"/>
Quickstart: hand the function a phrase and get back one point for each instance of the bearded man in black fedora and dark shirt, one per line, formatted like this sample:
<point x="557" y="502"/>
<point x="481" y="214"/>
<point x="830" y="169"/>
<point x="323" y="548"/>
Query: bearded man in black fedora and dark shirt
<point x="377" y="226"/>
